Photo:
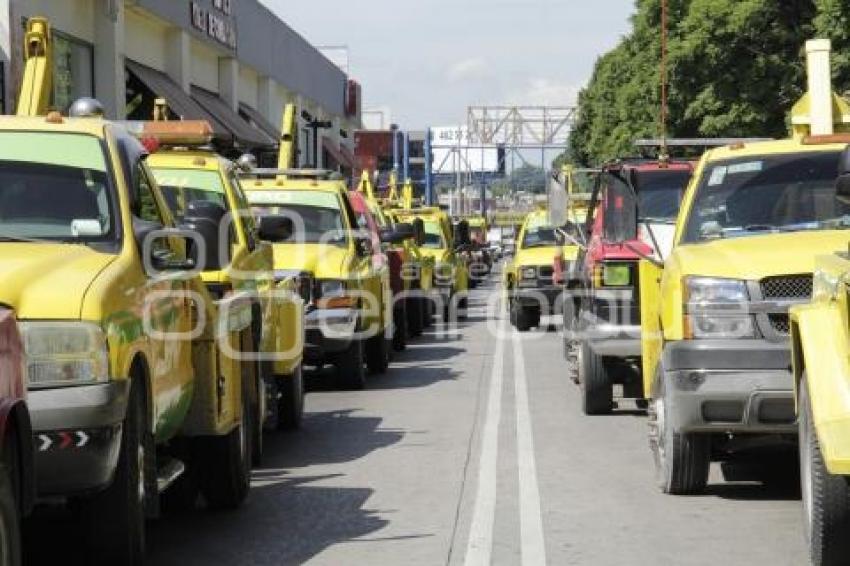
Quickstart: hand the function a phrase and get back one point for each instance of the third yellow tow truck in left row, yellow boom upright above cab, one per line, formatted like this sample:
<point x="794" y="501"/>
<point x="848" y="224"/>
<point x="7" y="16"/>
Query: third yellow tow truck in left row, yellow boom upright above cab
<point x="349" y="313"/>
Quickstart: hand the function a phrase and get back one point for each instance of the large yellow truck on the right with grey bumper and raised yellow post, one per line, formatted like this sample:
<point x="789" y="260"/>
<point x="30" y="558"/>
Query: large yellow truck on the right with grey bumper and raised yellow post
<point x="714" y="316"/>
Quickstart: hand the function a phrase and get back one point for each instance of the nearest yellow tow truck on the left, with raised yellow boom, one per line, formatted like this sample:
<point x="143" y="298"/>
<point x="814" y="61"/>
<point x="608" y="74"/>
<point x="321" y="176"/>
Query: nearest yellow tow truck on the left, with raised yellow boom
<point x="130" y="383"/>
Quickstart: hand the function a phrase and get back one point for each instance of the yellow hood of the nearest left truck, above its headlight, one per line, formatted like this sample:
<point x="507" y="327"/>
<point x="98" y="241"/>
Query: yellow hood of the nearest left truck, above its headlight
<point x="48" y="280"/>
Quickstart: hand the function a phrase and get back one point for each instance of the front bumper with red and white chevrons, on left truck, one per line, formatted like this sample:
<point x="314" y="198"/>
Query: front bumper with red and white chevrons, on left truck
<point x="77" y="436"/>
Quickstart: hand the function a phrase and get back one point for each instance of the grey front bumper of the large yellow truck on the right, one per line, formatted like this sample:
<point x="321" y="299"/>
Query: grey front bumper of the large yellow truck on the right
<point x="729" y="386"/>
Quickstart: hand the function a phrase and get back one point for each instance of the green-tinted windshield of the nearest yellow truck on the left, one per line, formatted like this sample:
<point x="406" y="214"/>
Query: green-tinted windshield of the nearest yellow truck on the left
<point x="54" y="187"/>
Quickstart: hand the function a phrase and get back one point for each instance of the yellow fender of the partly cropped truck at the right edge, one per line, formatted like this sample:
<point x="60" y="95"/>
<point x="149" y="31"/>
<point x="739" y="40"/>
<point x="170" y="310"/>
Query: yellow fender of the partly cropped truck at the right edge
<point x="819" y="342"/>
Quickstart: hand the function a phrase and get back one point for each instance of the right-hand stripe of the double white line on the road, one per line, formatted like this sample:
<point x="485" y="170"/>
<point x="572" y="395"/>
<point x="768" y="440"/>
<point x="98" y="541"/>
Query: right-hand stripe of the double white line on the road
<point x="533" y="546"/>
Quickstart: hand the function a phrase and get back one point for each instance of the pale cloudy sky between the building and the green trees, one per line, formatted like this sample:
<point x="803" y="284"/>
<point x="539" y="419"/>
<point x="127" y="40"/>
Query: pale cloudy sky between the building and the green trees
<point x="428" y="60"/>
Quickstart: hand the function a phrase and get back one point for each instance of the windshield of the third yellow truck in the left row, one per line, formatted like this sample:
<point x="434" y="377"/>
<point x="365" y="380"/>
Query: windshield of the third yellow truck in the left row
<point x="317" y="215"/>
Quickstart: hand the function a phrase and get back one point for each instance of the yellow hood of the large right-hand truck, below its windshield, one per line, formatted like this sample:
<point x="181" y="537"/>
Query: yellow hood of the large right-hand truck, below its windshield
<point x="755" y="257"/>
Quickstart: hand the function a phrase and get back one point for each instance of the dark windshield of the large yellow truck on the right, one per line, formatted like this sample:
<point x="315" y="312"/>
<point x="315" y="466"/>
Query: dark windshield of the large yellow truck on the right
<point x="750" y="196"/>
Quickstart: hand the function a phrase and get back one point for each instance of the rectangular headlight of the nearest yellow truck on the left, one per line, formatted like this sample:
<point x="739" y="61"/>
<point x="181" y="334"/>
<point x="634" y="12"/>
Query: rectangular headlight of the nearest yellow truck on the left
<point x="64" y="353"/>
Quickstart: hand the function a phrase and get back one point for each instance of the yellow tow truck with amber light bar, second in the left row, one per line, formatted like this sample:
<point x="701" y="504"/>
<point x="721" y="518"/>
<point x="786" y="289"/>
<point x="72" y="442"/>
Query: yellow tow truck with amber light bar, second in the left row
<point x="195" y="180"/>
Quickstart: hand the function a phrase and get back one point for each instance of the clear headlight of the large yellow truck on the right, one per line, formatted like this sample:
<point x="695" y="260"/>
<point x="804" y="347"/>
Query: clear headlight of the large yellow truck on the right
<point x="717" y="308"/>
